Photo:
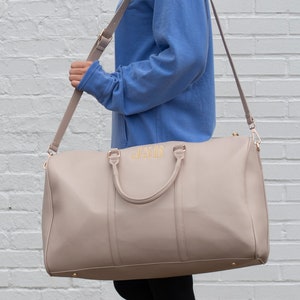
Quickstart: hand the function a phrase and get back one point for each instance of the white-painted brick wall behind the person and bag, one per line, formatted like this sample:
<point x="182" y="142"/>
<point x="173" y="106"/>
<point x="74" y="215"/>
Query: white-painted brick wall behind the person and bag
<point x="39" y="39"/>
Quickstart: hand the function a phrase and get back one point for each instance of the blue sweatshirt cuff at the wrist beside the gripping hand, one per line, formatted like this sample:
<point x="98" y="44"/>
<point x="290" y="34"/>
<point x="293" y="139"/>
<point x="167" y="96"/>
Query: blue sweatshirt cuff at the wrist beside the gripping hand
<point x="96" y="82"/>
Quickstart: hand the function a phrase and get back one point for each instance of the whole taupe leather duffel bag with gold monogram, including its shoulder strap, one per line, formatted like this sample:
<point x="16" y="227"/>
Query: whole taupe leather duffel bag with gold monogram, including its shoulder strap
<point x="153" y="211"/>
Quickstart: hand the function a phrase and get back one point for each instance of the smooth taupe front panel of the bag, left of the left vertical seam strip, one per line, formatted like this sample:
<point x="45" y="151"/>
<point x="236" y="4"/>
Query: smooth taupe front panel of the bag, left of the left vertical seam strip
<point x="79" y="236"/>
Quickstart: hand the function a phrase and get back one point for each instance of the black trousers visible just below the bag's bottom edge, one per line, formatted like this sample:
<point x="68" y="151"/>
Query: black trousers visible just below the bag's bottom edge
<point x="174" y="288"/>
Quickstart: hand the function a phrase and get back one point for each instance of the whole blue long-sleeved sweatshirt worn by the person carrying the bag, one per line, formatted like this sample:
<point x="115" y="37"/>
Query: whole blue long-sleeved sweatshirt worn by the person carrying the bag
<point x="163" y="86"/>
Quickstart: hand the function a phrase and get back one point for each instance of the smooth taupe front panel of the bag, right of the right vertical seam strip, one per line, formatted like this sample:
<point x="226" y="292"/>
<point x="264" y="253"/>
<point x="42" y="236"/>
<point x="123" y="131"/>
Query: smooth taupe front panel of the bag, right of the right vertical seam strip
<point x="216" y="216"/>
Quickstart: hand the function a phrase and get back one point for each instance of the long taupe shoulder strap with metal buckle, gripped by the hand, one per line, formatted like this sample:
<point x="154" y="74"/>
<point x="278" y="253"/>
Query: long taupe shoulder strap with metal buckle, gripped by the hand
<point x="100" y="45"/>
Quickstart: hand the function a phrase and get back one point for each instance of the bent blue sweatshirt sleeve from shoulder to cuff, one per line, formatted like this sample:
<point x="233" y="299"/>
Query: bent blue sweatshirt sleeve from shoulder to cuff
<point x="181" y="33"/>
